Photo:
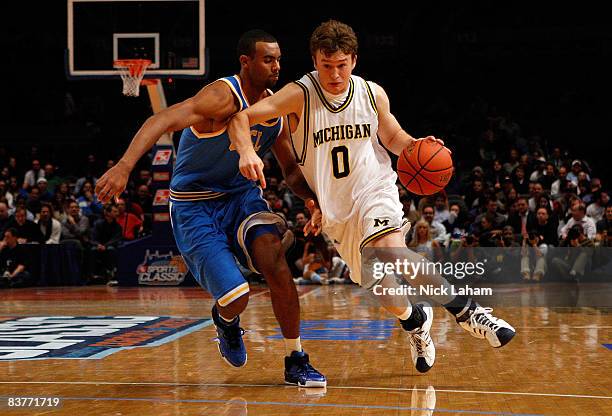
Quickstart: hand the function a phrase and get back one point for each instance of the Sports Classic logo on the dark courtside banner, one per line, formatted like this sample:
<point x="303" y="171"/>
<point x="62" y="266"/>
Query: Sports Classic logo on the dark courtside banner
<point x="161" y="269"/>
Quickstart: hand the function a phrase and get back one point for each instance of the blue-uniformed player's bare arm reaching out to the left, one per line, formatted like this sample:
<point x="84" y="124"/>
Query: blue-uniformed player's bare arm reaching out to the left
<point x="214" y="103"/>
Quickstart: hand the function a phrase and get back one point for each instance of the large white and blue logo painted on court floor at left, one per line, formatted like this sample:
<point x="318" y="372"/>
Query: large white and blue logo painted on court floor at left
<point x="87" y="337"/>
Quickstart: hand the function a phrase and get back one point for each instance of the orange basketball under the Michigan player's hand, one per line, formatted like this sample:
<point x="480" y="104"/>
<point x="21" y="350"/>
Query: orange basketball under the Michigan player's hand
<point x="427" y="169"/>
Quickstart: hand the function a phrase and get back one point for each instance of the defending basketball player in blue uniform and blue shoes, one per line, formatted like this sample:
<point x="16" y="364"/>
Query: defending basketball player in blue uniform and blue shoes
<point x="217" y="214"/>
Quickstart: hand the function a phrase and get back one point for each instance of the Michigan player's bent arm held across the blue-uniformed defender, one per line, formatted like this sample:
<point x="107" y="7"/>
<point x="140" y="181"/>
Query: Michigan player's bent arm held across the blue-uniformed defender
<point x="287" y="101"/>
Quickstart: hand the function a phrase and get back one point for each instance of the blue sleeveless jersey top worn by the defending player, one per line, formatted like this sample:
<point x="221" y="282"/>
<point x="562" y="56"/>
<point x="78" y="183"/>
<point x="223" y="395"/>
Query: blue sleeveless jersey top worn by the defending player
<point x="207" y="165"/>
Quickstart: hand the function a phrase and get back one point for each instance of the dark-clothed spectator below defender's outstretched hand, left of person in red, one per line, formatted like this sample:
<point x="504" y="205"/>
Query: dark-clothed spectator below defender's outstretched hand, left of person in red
<point x="105" y="239"/>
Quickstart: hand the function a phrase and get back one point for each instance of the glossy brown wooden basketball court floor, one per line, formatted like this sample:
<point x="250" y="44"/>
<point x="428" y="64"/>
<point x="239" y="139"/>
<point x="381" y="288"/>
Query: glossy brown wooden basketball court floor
<point x="560" y="363"/>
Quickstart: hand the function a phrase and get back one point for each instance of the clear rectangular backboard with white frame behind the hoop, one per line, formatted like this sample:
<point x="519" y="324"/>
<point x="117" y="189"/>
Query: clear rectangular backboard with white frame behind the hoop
<point x="168" y="32"/>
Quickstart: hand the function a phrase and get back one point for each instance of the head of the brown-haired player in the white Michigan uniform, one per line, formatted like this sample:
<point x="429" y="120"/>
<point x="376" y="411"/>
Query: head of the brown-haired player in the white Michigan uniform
<point x="333" y="46"/>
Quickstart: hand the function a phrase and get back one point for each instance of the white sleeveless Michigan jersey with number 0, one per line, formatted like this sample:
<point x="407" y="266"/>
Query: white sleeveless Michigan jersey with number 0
<point x="337" y="147"/>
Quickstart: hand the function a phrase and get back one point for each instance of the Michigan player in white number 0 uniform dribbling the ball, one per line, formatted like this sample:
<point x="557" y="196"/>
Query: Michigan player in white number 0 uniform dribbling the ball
<point x="336" y="120"/>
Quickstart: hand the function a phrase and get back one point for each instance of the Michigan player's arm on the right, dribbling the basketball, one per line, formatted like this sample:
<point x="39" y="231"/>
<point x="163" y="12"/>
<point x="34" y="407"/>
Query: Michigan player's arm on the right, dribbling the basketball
<point x="391" y="134"/>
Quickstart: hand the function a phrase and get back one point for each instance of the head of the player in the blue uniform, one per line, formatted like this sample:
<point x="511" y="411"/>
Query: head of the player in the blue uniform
<point x="259" y="56"/>
